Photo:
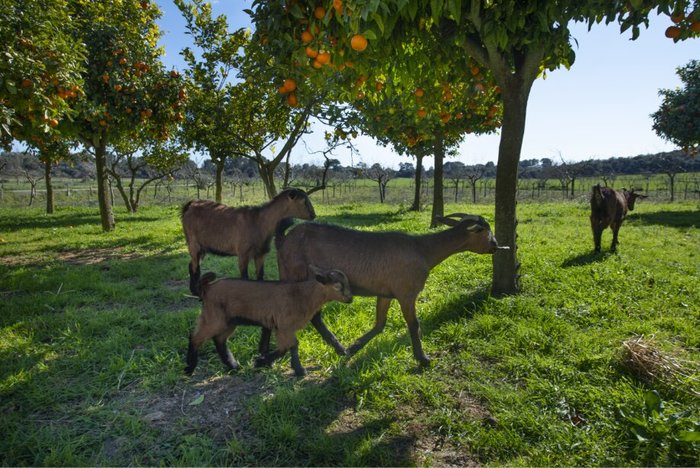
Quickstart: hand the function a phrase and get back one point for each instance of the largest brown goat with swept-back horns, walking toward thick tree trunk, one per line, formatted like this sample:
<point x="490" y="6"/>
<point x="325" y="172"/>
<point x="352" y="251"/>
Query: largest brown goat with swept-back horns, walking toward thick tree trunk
<point x="388" y="265"/>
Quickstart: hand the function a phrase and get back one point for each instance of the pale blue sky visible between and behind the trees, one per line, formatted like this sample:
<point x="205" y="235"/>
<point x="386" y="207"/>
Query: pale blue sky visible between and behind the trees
<point x="599" y="108"/>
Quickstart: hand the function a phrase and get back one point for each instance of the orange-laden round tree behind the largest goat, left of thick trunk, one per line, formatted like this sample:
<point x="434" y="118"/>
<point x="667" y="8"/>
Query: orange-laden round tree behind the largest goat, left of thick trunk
<point x="421" y="105"/>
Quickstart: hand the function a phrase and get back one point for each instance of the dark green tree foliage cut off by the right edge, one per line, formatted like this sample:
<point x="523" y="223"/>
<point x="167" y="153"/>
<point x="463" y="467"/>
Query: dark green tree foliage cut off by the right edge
<point x="678" y="118"/>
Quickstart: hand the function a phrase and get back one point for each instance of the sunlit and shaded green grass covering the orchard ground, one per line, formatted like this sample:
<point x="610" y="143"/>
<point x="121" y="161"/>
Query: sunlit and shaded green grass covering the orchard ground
<point x="94" y="330"/>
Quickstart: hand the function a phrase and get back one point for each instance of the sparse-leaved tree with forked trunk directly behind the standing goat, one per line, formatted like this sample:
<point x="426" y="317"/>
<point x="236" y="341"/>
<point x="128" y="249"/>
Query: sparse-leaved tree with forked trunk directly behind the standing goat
<point x="235" y="110"/>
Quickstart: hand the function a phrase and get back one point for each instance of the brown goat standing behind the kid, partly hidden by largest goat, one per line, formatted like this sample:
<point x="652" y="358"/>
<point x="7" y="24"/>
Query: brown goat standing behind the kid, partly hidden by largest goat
<point x="245" y="231"/>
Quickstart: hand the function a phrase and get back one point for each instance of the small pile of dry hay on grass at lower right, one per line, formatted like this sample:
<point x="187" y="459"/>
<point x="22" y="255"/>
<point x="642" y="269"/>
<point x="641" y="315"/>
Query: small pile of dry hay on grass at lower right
<point x="643" y="358"/>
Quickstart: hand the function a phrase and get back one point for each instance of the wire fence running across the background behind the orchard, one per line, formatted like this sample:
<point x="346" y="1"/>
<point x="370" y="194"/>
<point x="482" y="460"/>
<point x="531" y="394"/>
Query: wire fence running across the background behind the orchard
<point x="75" y="192"/>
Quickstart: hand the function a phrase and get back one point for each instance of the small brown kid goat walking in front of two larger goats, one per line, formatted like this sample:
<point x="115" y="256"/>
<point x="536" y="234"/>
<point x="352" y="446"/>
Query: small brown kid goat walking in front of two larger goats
<point x="283" y="306"/>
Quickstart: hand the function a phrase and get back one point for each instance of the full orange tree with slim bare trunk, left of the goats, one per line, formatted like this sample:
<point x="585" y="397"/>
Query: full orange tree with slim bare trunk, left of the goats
<point x="125" y="85"/>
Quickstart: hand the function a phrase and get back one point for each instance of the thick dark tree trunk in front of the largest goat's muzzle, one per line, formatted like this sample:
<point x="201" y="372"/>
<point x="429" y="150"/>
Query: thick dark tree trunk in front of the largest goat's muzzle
<point x="506" y="267"/>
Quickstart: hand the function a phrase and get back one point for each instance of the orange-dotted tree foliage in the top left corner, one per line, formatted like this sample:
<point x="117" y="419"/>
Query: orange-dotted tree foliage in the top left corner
<point x="39" y="68"/>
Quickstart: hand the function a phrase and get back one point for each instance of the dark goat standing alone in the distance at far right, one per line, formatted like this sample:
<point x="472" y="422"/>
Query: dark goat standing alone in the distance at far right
<point x="609" y="208"/>
